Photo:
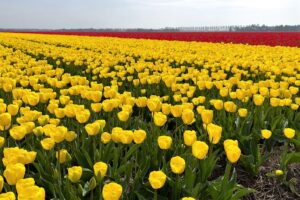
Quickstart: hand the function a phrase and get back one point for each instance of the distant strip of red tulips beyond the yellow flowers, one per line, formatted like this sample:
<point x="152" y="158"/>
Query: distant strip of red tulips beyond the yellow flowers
<point x="253" y="38"/>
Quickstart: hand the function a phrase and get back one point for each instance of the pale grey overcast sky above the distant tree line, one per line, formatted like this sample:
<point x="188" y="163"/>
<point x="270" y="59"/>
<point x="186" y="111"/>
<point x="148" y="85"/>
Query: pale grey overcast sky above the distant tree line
<point x="145" y="13"/>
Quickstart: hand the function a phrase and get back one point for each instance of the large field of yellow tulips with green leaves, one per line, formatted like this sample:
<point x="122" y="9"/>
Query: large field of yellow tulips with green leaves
<point x="111" y="118"/>
